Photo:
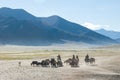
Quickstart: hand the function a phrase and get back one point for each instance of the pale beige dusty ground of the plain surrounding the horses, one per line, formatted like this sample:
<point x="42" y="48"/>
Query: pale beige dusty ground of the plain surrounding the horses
<point x="106" y="66"/>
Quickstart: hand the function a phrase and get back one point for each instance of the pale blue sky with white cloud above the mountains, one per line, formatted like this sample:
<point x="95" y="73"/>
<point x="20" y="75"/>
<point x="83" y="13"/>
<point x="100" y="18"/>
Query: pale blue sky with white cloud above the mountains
<point x="94" y="14"/>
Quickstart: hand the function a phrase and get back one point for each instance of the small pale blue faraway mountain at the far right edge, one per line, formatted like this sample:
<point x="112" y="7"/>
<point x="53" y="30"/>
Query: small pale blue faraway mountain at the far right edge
<point x="111" y="34"/>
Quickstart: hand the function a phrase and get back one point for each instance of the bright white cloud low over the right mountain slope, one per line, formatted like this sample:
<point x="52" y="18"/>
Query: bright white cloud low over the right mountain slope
<point x="95" y="26"/>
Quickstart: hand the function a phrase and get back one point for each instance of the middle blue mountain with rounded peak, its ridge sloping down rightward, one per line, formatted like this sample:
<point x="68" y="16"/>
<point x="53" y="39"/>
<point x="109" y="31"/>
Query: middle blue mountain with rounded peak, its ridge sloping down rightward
<point x="74" y="29"/>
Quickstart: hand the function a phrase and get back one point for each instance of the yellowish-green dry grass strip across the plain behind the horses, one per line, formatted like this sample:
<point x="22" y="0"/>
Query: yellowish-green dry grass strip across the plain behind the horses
<point x="64" y="53"/>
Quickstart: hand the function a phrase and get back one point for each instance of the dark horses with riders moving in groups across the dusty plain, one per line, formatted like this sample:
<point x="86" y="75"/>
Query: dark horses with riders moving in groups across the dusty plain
<point x="73" y="62"/>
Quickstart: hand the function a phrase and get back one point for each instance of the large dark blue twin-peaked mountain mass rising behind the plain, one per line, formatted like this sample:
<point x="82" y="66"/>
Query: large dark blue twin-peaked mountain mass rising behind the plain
<point x="20" y="27"/>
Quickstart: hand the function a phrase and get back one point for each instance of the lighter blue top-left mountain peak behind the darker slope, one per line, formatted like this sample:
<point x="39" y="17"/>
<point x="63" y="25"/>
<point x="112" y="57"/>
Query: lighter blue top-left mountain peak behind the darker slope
<point x="19" y="14"/>
